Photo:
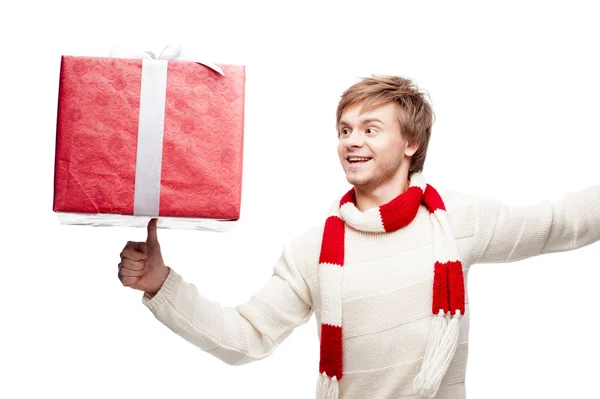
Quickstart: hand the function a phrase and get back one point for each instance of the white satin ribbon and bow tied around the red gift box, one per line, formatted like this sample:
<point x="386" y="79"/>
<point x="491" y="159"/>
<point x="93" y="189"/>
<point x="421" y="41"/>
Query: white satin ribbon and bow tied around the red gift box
<point x="146" y="198"/>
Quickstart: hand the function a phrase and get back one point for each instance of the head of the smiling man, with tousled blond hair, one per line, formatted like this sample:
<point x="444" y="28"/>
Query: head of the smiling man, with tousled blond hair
<point x="387" y="122"/>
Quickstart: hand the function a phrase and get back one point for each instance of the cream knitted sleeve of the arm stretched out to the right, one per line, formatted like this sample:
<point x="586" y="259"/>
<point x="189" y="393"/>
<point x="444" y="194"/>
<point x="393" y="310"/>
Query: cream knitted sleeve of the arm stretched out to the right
<point x="507" y="234"/>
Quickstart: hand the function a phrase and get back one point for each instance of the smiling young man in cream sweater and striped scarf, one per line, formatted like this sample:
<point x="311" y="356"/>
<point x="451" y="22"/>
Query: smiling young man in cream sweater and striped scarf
<point x="384" y="273"/>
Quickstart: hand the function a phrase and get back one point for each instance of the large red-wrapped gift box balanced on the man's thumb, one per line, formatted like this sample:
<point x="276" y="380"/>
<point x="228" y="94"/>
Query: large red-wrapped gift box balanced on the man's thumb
<point x="146" y="138"/>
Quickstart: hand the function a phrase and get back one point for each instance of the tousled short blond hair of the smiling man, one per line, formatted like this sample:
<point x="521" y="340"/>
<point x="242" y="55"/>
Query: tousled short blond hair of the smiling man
<point x="414" y="113"/>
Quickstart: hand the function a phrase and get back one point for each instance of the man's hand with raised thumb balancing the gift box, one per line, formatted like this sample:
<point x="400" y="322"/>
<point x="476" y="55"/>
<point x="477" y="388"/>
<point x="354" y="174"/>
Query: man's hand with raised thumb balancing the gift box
<point x="142" y="266"/>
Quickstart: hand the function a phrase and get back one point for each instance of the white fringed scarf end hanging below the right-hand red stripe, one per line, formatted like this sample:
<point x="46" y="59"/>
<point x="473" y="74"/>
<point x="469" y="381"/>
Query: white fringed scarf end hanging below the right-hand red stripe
<point x="443" y="340"/>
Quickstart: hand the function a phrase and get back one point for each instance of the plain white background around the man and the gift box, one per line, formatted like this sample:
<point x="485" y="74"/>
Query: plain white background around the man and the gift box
<point x="515" y="90"/>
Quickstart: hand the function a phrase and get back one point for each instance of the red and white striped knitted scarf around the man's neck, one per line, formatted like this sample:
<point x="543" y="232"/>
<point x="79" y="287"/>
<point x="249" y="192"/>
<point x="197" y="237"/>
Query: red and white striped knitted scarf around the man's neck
<point x="448" y="302"/>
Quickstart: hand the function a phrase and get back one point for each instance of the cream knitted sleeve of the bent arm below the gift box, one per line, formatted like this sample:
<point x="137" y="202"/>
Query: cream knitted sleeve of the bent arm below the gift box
<point x="241" y="334"/>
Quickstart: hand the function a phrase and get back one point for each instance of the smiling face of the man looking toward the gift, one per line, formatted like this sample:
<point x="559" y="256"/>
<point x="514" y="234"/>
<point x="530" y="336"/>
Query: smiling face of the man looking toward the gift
<point x="371" y="149"/>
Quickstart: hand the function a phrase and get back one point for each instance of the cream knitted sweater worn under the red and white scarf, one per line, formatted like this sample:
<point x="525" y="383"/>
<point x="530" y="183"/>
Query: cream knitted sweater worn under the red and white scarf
<point x="387" y="290"/>
